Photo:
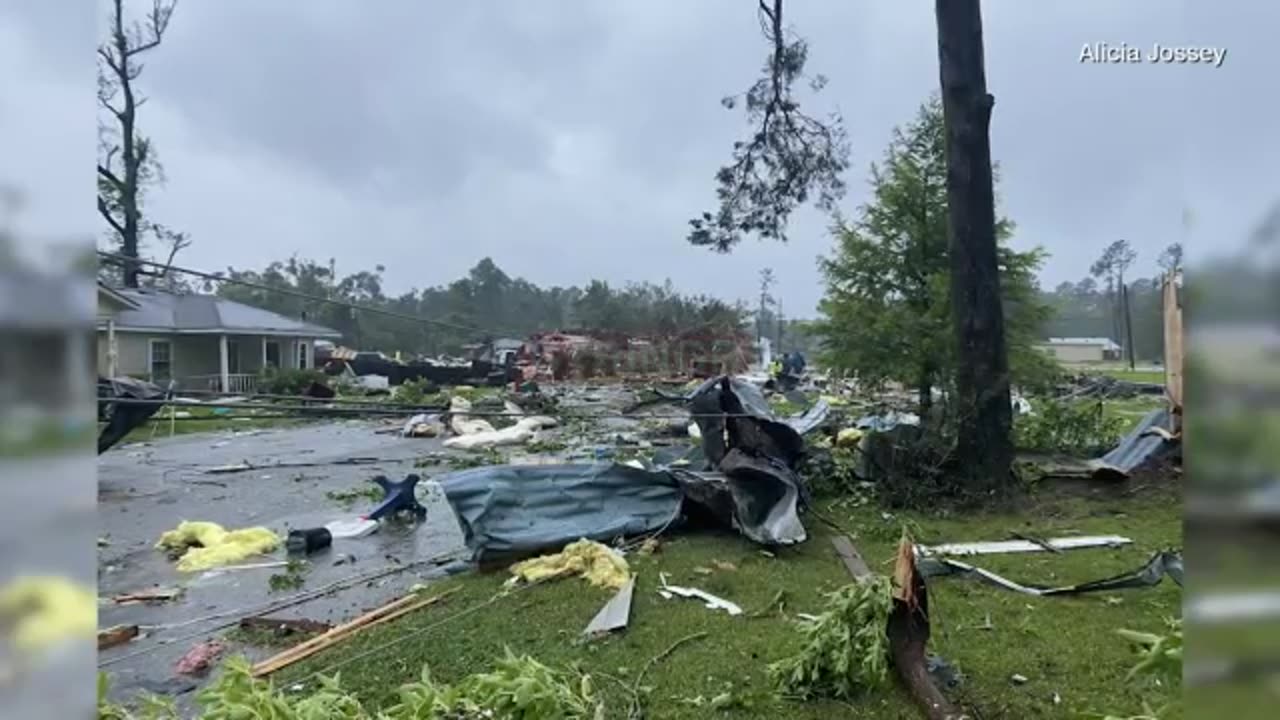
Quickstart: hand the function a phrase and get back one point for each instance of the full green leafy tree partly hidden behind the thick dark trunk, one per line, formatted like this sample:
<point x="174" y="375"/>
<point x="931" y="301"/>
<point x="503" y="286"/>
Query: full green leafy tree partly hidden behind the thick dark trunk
<point x="886" y="315"/>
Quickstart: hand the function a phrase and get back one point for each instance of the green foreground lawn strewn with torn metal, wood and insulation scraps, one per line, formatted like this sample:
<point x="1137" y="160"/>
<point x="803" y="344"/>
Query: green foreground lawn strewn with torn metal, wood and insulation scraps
<point x="1067" y="649"/>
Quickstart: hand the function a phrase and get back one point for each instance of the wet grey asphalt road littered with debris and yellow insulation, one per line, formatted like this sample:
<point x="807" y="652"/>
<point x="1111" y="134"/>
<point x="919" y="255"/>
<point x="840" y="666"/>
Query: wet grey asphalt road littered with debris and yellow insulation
<point x="148" y="490"/>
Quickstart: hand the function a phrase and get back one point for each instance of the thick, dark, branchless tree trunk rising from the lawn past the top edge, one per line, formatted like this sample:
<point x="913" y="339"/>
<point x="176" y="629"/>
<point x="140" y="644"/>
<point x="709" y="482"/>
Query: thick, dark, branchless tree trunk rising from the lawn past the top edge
<point x="985" y="418"/>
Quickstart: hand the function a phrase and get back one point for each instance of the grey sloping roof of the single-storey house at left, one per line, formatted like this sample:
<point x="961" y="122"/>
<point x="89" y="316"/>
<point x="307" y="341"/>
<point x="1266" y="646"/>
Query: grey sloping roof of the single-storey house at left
<point x="198" y="315"/>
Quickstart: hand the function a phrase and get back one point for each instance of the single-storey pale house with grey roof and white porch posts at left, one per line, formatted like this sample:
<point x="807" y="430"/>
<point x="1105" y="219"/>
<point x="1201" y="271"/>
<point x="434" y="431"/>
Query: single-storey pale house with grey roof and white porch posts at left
<point x="199" y="341"/>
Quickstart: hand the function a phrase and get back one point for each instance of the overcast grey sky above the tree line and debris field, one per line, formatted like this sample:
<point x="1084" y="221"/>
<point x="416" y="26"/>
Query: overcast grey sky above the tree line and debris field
<point x="573" y="140"/>
